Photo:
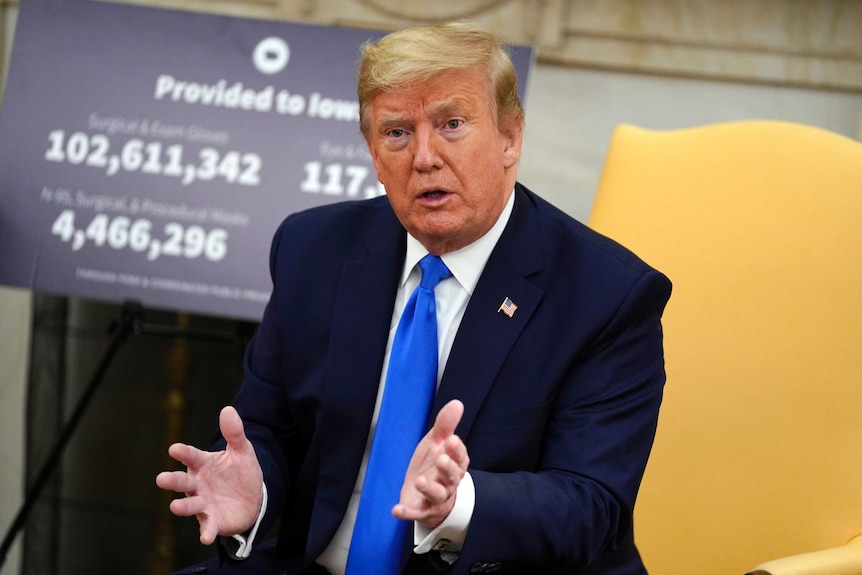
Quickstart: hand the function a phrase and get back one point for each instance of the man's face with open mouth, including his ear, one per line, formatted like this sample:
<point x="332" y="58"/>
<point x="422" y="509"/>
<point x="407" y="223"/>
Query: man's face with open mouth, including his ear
<point x="447" y="167"/>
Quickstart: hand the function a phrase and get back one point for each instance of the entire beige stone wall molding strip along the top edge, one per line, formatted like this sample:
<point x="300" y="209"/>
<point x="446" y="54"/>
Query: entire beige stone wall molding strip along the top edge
<point x="807" y="43"/>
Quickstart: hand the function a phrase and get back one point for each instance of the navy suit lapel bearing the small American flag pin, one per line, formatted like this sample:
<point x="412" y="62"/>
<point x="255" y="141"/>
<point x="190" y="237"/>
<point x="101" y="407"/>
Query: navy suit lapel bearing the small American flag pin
<point x="486" y="334"/>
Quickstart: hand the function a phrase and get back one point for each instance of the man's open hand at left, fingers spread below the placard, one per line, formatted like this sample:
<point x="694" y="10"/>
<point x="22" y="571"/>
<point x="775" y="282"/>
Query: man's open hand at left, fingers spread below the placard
<point x="224" y="489"/>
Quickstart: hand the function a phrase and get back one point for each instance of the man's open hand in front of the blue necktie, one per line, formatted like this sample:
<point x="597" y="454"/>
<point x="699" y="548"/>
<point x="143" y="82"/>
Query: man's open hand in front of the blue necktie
<point x="438" y="464"/>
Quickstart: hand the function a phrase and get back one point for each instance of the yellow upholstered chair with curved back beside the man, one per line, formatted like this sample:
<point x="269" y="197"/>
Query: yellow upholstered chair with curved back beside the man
<point x="758" y="454"/>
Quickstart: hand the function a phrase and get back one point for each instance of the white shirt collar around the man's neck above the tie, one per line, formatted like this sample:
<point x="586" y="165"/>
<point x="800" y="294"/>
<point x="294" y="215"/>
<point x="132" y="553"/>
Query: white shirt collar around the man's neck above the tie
<point x="467" y="263"/>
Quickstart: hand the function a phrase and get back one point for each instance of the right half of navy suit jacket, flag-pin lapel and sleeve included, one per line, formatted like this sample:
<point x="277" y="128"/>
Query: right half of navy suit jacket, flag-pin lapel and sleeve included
<point x="560" y="440"/>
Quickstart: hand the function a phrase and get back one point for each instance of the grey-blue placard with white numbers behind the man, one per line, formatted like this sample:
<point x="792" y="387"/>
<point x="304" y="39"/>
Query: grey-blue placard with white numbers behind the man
<point x="150" y="154"/>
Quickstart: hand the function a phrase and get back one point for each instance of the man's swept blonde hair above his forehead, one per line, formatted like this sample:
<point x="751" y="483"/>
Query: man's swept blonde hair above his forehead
<point x="417" y="55"/>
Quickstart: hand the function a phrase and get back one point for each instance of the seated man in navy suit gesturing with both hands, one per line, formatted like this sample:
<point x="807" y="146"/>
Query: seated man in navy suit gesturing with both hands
<point x="550" y="351"/>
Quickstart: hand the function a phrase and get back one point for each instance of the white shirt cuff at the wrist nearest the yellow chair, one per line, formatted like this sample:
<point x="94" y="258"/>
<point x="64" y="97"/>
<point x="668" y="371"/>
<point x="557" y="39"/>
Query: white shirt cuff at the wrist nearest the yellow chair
<point x="449" y="536"/>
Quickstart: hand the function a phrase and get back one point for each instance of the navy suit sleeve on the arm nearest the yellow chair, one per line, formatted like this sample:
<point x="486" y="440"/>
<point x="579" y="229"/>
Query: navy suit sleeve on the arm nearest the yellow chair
<point x="575" y="505"/>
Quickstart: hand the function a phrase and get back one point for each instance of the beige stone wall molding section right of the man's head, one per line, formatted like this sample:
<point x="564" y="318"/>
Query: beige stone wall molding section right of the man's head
<point x="814" y="43"/>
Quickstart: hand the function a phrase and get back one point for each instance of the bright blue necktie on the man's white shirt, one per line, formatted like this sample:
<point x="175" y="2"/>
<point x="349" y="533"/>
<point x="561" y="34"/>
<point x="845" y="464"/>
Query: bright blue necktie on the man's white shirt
<point x="411" y="383"/>
